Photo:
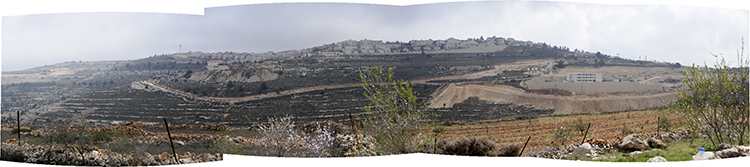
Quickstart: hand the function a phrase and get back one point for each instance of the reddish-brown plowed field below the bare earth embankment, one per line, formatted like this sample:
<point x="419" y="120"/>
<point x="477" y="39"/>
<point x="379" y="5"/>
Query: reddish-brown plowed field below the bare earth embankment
<point x="603" y="126"/>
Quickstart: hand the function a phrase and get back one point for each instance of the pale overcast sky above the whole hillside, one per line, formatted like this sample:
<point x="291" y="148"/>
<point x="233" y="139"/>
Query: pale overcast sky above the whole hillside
<point x="664" y="33"/>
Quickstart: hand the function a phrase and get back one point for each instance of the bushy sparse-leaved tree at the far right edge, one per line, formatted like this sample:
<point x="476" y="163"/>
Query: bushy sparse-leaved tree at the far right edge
<point x="714" y="101"/>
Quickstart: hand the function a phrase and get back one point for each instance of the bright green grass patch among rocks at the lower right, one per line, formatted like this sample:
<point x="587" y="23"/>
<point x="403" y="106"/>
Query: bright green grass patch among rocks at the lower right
<point x="677" y="151"/>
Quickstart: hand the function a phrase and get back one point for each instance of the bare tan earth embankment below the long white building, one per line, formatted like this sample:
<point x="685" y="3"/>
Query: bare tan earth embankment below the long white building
<point x="455" y="93"/>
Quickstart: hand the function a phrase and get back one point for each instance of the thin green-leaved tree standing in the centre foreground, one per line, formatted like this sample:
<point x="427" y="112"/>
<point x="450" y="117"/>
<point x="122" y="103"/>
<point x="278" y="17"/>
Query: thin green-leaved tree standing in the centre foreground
<point x="394" y="114"/>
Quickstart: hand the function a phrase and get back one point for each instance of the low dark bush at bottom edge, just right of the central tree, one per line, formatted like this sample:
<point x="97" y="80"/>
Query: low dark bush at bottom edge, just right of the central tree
<point x="471" y="146"/>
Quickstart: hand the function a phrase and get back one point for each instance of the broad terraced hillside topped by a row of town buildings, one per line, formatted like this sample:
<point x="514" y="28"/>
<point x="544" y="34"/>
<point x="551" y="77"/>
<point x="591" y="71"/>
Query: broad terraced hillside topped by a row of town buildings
<point x="320" y="83"/>
